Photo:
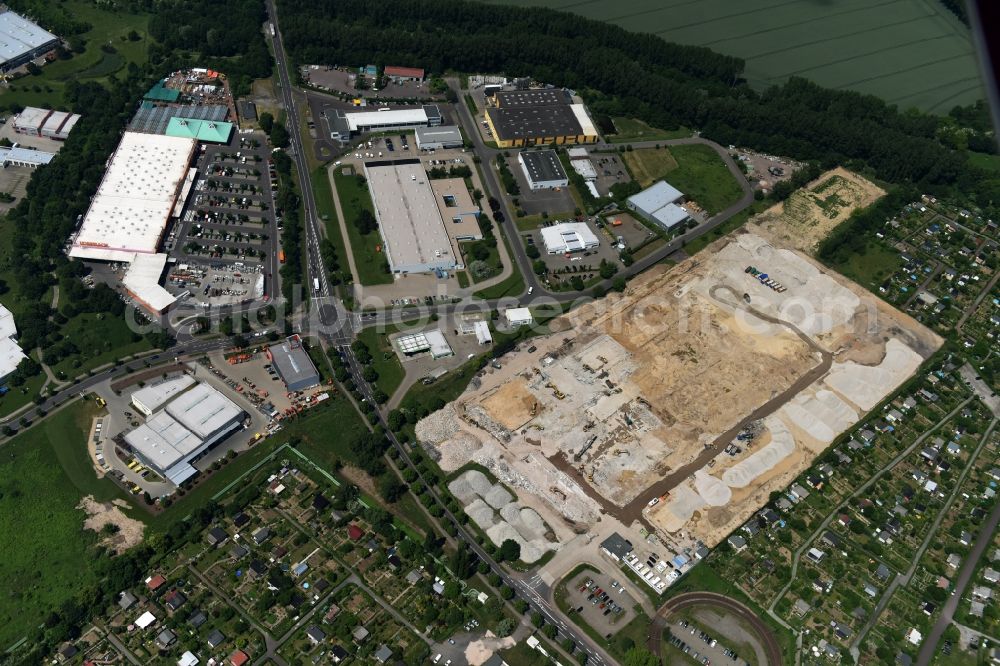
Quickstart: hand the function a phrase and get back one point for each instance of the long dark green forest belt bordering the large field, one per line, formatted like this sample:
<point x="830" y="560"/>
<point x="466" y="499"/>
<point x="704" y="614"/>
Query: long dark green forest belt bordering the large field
<point x="620" y="73"/>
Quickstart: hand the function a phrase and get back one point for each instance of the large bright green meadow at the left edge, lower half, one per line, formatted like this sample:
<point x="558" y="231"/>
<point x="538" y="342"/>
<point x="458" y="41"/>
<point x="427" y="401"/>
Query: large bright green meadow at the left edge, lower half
<point x="44" y="472"/>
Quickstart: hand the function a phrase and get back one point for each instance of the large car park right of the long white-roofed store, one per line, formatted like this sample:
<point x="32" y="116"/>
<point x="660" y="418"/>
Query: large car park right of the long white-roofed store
<point x="227" y="236"/>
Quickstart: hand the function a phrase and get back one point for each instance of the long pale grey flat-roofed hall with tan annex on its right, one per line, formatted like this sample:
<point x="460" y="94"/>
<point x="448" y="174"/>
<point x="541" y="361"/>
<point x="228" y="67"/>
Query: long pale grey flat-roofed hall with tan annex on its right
<point x="413" y="233"/>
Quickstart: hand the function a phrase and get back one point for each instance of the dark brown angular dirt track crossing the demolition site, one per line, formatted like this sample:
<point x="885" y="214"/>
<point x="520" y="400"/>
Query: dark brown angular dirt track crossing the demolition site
<point x="633" y="510"/>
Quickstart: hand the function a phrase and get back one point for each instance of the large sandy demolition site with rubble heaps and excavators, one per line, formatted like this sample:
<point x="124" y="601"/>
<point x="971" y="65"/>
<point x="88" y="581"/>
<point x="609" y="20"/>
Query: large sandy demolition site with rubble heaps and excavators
<point x="687" y="400"/>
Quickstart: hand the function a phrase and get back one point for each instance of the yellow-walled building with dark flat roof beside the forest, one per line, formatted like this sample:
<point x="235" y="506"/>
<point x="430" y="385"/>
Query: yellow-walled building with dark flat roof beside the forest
<point x="521" y="118"/>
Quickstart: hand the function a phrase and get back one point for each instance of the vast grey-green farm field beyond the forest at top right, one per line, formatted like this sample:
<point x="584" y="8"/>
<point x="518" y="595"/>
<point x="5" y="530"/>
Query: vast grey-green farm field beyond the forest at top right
<point x="912" y="54"/>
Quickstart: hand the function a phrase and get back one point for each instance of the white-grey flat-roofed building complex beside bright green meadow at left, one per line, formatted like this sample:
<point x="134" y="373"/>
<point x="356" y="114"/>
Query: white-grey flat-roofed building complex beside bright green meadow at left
<point x="188" y="423"/>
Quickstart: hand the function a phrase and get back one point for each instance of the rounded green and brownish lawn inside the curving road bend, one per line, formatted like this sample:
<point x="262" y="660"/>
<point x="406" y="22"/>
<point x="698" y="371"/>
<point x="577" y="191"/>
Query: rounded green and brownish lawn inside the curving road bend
<point x="695" y="170"/>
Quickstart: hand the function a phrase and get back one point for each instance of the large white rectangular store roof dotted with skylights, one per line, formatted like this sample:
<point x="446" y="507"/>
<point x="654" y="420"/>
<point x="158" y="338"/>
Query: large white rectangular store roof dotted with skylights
<point x="134" y="201"/>
